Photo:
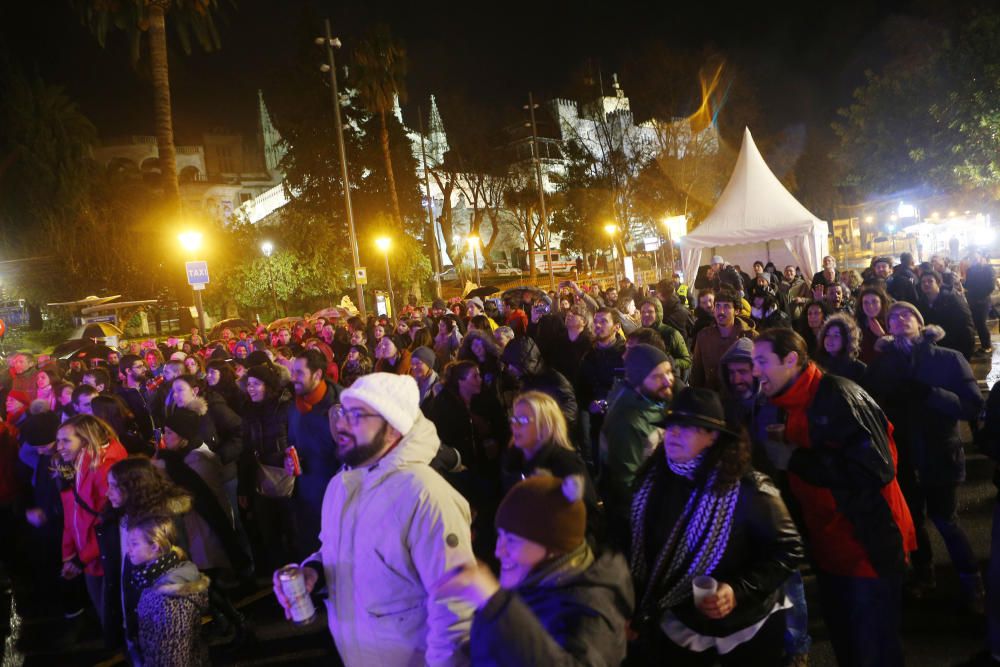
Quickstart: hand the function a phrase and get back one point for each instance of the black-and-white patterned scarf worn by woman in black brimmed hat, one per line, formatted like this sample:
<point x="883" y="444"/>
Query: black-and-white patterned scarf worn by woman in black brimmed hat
<point x="695" y="545"/>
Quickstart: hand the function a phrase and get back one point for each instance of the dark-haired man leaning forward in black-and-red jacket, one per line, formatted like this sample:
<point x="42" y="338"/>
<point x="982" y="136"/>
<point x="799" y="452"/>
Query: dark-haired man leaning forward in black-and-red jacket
<point x="841" y="462"/>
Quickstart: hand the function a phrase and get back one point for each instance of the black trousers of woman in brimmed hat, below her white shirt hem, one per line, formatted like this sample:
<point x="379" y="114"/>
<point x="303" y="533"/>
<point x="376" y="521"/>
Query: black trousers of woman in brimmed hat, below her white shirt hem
<point x="765" y="649"/>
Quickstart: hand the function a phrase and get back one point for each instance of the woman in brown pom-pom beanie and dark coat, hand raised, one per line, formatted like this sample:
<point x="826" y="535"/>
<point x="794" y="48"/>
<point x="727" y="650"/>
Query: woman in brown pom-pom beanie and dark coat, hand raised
<point x="557" y="602"/>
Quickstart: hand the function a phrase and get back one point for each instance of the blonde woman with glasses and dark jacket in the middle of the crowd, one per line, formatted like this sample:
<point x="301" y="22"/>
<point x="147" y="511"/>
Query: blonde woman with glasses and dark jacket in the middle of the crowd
<point x="540" y="444"/>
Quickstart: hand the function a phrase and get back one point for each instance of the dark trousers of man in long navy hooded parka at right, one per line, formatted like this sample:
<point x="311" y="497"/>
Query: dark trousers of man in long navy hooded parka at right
<point x="939" y="502"/>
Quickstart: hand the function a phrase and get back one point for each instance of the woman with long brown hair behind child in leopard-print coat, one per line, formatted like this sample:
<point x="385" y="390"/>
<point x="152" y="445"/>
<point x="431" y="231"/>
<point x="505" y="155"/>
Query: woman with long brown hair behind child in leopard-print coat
<point x="136" y="488"/>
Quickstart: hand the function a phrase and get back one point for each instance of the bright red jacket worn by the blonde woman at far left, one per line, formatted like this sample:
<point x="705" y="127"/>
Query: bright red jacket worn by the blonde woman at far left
<point x="79" y="535"/>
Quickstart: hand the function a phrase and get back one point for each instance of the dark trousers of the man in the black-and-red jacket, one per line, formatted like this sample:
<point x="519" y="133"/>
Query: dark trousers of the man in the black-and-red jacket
<point x="862" y="615"/>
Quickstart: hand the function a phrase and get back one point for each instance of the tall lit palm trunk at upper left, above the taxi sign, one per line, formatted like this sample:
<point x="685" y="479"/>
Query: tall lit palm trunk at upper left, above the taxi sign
<point x="161" y="102"/>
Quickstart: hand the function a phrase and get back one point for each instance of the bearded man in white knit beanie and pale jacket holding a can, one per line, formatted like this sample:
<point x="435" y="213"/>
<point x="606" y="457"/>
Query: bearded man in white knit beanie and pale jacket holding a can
<point x="391" y="527"/>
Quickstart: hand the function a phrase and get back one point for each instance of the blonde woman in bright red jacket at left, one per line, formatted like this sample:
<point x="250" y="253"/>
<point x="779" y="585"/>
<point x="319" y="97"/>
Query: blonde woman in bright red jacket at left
<point x="87" y="448"/>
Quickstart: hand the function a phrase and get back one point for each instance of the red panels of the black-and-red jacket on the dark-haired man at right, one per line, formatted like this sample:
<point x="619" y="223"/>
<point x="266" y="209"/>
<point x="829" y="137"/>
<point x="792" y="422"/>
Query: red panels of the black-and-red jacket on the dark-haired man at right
<point x="834" y="541"/>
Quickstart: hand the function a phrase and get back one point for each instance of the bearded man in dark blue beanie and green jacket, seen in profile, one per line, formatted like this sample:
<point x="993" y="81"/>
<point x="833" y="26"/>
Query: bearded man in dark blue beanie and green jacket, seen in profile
<point x="630" y="432"/>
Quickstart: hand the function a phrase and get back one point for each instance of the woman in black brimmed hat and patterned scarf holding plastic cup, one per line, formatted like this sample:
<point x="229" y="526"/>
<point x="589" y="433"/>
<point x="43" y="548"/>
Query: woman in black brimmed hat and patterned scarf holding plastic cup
<point x="702" y="517"/>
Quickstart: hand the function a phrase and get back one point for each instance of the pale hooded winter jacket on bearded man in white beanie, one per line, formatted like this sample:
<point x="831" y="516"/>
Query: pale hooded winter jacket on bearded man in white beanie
<point x="388" y="533"/>
